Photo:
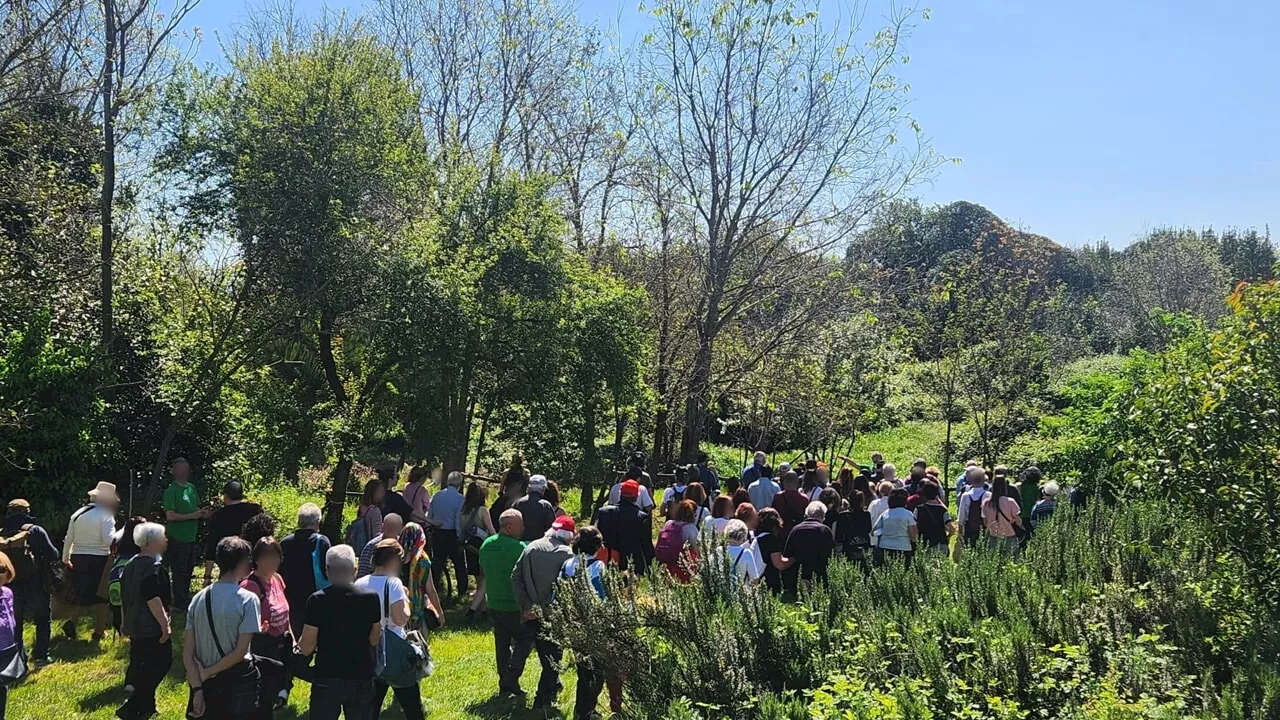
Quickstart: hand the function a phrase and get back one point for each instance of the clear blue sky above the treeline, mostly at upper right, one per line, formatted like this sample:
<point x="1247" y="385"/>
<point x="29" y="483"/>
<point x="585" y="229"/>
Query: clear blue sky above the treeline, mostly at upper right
<point x="1077" y="120"/>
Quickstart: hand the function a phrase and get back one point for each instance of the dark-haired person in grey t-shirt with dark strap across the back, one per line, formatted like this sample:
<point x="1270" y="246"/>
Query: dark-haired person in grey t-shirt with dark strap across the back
<point x="222" y="622"/>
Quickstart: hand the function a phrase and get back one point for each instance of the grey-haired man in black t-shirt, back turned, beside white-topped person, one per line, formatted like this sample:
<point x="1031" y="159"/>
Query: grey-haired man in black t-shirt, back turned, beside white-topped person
<point x="342" y="628"/>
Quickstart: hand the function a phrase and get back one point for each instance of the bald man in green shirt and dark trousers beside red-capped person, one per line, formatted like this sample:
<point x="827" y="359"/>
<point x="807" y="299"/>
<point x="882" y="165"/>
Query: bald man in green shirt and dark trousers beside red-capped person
<point x="499" y="558"/>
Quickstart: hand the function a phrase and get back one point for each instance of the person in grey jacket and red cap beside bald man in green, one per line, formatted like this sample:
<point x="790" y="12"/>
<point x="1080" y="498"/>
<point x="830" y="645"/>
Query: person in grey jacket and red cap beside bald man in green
<point x="533" y="582"/>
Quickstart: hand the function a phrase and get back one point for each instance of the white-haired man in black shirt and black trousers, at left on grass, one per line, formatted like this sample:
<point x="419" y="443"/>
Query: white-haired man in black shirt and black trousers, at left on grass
<point x="147" y="596"/>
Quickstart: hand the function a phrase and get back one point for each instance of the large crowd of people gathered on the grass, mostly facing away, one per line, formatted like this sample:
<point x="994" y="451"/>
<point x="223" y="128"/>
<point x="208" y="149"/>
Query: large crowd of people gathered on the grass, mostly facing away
<point x="341" y="617"/>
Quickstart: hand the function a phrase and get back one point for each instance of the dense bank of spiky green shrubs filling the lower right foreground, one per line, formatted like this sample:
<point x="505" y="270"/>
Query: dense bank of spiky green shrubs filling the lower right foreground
<point x="1116" y="613"/>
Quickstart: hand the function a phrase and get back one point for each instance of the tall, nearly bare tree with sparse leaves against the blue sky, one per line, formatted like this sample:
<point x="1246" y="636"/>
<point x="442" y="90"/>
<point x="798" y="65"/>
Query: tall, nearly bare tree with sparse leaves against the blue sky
<point x="780" y="136"/>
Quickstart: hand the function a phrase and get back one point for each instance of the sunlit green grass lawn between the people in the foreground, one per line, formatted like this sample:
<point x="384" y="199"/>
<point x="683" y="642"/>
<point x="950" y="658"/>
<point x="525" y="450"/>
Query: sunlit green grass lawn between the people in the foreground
<point x="86" y="682"/>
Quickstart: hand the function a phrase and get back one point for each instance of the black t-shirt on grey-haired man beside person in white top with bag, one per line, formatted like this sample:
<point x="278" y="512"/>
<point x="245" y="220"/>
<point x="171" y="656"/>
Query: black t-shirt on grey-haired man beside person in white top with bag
<point x="344" y="617"/>
